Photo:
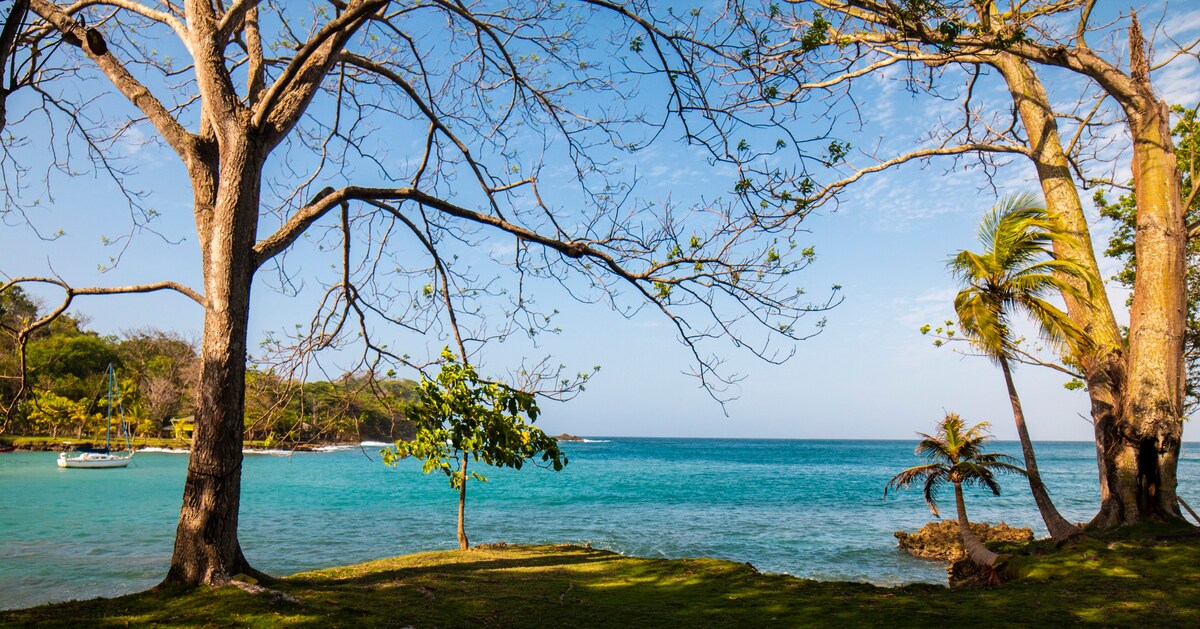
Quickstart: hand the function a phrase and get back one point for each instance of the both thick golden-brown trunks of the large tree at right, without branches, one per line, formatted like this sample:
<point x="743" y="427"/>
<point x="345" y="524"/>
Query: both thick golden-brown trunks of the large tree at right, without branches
<point x="1137" y="396"/>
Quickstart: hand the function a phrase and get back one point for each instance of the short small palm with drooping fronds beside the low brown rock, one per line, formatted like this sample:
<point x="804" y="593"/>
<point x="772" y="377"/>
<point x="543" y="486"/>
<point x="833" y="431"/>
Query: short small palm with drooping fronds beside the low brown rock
<point x="956" y="456"/>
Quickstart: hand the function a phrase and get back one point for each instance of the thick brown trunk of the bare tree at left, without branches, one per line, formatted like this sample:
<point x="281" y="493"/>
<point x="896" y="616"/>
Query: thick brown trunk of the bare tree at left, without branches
<point x="207" y="548"/>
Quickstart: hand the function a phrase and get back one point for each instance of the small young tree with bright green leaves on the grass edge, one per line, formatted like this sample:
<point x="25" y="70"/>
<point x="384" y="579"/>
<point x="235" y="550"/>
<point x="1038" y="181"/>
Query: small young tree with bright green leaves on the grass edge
<point x="461" y="420"/>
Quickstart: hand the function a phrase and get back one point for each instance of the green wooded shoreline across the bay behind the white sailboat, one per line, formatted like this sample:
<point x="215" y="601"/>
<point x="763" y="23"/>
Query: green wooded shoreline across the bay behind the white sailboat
<point x="62" y="396"/>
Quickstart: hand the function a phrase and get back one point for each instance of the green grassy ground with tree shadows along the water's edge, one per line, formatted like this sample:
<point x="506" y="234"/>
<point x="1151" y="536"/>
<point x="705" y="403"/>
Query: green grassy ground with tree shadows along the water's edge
<point x="1114" y="582"/>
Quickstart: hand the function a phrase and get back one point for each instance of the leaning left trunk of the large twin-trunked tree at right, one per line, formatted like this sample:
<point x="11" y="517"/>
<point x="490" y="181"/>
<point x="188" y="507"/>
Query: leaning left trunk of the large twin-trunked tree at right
<point x="1105" y="364"/>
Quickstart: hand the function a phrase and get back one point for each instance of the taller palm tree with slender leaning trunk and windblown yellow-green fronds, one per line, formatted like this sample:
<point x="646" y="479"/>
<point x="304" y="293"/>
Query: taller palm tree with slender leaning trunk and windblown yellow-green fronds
<point x="1017" y="273"/>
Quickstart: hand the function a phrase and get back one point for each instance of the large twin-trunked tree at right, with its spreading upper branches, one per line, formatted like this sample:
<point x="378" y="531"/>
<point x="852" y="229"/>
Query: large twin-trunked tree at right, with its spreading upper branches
<point x="1135" y="381"/>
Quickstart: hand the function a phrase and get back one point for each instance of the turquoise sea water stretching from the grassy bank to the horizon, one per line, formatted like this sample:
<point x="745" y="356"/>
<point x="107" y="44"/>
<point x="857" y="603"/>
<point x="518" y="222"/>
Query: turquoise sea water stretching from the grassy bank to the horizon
<point x="808" y="508"/>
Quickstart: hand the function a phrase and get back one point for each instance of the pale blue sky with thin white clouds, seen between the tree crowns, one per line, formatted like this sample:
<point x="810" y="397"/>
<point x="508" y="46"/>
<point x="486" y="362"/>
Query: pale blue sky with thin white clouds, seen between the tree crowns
<point x="871" y="374"/>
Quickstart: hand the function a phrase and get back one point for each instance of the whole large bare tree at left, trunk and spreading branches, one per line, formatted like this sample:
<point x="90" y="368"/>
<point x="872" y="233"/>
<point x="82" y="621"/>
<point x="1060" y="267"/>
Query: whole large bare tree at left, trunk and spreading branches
<point x="404" y="140"/>
